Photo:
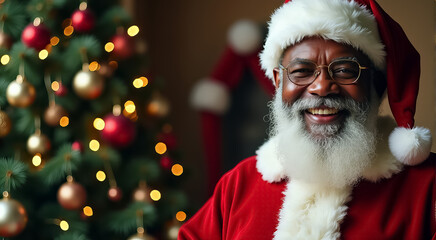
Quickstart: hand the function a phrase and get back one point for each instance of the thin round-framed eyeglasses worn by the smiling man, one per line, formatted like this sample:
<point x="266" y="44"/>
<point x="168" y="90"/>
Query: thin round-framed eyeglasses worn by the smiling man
<point x="303" y="72"/>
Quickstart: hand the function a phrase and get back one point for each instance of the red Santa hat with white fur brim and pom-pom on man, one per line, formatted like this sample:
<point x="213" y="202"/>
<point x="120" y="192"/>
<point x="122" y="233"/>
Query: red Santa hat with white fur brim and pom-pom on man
<point x="364" y="25"/>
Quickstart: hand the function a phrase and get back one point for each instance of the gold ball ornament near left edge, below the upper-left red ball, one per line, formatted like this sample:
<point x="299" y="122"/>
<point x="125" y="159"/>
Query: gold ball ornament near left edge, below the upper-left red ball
<point x="20" y="93"/>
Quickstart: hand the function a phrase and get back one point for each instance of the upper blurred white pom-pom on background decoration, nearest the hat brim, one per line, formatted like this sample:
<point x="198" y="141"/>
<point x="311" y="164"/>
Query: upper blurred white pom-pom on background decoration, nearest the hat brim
<point x="245" y="37"/>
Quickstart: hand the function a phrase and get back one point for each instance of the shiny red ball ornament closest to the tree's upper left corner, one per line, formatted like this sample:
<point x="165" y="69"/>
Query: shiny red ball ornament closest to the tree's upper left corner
<point x="37" y="37"/>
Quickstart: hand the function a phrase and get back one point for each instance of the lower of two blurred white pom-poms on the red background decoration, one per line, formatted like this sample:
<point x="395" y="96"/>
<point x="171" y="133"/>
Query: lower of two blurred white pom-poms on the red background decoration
<point x="210" y="95"/>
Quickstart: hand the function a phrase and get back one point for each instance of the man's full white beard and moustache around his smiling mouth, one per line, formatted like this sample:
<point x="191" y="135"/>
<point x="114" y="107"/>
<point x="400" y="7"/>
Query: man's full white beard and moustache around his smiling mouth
<point x="339" y="158"/>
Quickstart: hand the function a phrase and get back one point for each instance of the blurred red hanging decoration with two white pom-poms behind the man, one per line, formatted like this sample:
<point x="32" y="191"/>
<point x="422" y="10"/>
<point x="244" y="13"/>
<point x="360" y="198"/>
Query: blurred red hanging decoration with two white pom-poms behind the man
<point x="212" y="95"/>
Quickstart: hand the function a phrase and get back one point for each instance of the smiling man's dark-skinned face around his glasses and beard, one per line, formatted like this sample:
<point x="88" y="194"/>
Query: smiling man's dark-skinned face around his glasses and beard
<point x="323" y="52"/>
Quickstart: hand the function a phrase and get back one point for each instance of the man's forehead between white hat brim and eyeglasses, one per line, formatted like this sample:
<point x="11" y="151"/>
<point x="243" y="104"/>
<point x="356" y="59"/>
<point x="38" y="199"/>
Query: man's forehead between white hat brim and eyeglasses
<point x="322" y="51"/>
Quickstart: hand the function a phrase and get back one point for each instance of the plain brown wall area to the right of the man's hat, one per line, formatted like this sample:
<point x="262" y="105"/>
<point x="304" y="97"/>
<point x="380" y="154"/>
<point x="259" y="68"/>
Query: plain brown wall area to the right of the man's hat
<point x="418" y="21"/>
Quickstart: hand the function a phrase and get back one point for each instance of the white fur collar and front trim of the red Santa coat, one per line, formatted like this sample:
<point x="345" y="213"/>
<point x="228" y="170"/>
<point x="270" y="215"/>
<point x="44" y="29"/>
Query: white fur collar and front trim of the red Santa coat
<point x="317" y="211"/>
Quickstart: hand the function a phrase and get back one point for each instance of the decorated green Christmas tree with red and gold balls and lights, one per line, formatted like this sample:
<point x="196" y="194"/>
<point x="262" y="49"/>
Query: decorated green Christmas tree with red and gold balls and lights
<point x="86" y="151"/>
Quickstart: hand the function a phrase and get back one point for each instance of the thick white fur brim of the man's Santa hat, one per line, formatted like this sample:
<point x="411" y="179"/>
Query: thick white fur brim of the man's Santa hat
<point x="342" y="21"/>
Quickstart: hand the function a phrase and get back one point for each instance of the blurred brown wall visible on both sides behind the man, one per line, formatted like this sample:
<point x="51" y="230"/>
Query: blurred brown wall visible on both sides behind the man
<point x="185" y="38"/>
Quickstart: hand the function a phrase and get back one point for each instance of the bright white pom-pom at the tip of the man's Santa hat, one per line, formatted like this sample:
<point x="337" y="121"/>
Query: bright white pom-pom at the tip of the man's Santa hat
<point x="410" y="146"/>
